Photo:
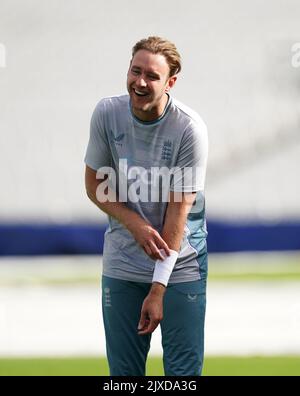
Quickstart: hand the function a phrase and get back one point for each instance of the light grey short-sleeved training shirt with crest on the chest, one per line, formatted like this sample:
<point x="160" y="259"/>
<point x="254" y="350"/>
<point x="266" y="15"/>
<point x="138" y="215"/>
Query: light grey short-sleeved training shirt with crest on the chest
<point x="141" y="155"/>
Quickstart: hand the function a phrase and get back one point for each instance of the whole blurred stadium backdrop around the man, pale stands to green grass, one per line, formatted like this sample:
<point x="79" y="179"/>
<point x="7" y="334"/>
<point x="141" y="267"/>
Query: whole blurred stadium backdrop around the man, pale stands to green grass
<point x="60" y="59"/>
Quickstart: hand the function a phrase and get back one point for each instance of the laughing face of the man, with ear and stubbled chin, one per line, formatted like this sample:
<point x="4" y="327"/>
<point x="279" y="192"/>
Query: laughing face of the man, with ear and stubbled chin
<point x="147" y="83"/>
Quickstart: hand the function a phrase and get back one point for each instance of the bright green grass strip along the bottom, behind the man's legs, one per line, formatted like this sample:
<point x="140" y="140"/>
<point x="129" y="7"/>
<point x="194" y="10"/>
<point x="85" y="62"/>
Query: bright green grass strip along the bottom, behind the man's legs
<point x="214" y="366"/>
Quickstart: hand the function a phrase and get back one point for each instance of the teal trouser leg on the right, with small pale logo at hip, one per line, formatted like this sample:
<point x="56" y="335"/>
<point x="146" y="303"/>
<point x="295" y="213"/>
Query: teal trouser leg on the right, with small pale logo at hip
<point x="183" y="328"/>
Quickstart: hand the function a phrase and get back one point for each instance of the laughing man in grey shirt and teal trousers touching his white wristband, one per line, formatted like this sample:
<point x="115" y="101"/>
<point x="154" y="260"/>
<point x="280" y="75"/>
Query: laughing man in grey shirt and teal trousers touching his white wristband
<point x="155" y="257"/>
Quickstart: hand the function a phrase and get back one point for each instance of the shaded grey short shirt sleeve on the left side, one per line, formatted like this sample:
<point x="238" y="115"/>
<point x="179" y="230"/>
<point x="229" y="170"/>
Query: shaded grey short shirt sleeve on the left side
<point x="97" y="153"/>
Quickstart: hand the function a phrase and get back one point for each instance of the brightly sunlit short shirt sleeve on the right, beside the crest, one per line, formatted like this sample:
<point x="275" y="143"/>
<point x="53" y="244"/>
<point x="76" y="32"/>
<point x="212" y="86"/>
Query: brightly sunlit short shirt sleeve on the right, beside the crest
<point x="190" y="170"/>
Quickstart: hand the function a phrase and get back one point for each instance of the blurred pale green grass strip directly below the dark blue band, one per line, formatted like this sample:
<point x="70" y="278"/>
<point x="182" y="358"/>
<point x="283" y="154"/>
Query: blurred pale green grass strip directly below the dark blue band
<point x="83" y="271"/>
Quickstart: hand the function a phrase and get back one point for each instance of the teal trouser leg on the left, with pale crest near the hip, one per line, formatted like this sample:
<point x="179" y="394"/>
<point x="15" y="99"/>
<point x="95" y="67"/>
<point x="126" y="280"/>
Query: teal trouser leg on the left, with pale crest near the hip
<point x="121" y="305"/>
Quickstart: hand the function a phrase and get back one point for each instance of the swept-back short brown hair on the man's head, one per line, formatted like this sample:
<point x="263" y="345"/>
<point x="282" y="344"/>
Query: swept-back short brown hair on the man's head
<point x="158" y="45"/>
